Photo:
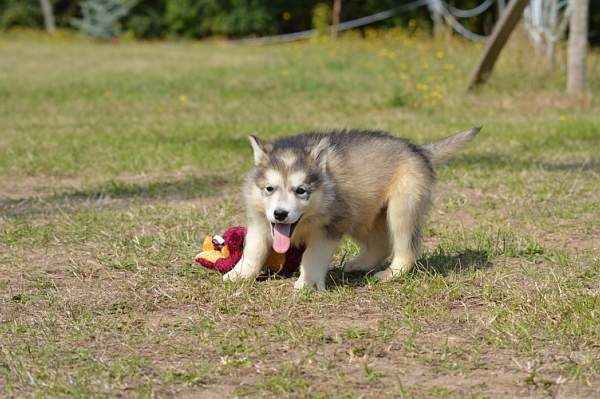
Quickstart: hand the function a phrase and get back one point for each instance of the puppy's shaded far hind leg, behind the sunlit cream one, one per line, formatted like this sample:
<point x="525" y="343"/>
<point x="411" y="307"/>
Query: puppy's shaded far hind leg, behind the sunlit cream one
<point x="375" y="247"/>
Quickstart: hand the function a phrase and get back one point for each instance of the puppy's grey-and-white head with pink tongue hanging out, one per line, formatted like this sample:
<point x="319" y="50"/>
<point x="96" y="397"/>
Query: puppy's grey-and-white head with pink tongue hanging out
<point x="287" y="185"/>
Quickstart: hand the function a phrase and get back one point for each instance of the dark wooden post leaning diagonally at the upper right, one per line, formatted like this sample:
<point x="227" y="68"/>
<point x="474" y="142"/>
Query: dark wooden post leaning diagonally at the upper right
<point x="496" y="42"/>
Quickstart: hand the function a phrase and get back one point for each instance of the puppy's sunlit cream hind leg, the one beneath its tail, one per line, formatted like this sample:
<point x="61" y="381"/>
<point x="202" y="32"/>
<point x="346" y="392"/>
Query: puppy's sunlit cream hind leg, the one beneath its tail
<point x="407" y="206"/>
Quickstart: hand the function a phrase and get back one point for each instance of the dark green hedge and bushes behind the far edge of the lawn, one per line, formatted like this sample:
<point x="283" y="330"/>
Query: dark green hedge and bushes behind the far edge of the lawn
<point x="235" y="18"/>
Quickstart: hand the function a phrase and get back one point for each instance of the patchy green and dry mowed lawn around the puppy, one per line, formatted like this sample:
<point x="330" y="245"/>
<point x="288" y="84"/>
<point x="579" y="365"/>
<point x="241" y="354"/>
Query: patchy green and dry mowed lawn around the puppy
<point x="117" y="159"/>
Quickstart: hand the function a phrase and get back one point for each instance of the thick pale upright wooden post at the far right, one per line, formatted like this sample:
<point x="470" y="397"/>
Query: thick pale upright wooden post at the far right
<point x="578" y="31"/>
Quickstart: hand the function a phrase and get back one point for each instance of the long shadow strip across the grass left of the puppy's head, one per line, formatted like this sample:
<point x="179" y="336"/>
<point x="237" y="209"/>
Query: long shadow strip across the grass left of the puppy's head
<point x="105" y="195"/>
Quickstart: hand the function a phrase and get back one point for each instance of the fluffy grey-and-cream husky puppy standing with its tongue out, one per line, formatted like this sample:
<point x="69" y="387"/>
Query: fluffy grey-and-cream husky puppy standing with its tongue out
<point x="313" y="188"/>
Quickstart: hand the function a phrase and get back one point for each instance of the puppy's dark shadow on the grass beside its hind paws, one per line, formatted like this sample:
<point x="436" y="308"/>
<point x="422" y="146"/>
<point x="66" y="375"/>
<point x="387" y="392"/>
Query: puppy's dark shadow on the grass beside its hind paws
<point x="437" y="262"/>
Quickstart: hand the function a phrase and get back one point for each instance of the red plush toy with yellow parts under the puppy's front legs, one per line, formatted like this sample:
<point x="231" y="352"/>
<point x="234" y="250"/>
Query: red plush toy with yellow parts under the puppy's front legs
<point x="222" y="253"/>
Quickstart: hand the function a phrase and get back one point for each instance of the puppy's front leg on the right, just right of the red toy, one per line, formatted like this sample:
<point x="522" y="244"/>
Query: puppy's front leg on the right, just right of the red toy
<point x="315" y="261"/>
